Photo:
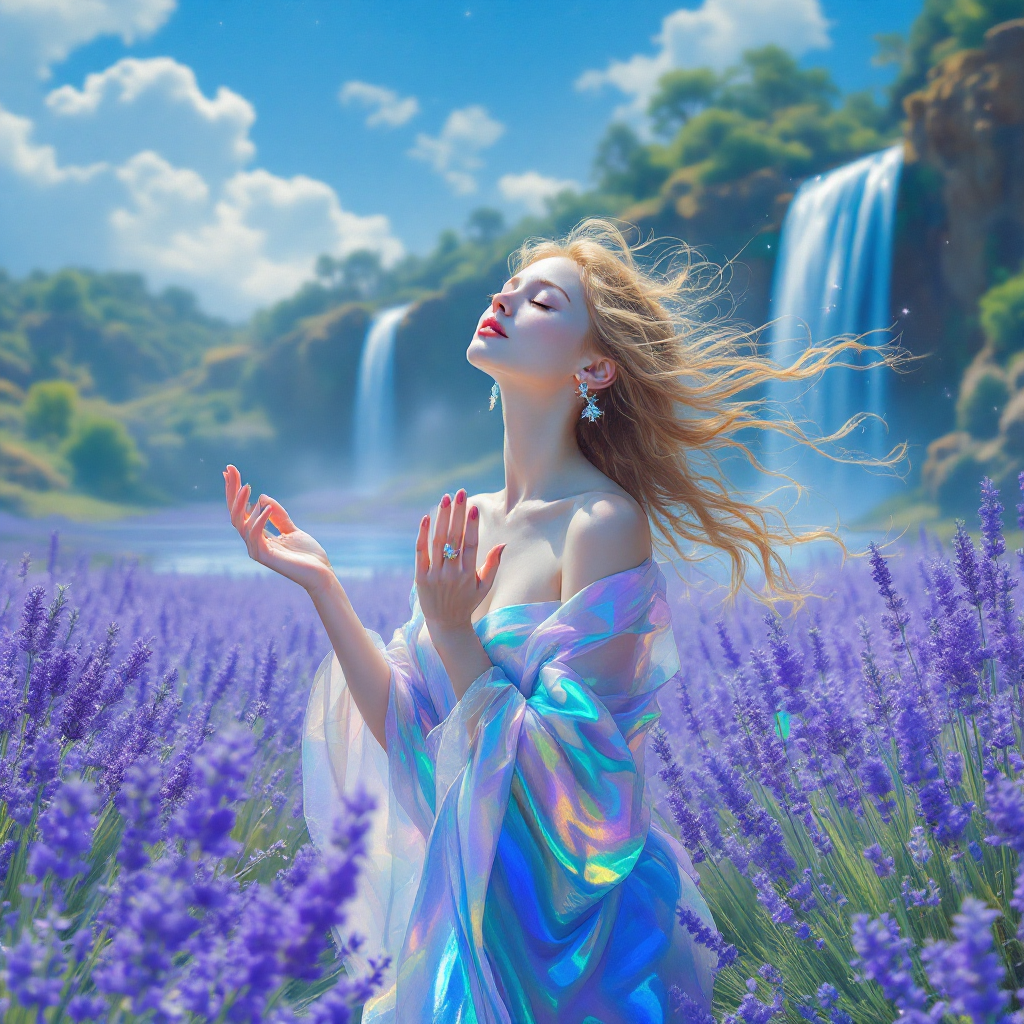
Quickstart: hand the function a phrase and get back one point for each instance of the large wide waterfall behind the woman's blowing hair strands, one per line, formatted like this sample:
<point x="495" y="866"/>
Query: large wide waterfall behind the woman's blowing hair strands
<point x="833" y="276"/>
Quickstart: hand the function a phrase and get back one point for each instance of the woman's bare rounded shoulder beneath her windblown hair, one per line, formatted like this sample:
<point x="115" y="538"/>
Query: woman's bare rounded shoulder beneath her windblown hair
<point x="610" y="533"/>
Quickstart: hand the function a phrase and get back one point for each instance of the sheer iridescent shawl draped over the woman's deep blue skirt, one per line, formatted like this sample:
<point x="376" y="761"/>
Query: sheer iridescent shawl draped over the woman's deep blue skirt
<point x="563" y="715"/>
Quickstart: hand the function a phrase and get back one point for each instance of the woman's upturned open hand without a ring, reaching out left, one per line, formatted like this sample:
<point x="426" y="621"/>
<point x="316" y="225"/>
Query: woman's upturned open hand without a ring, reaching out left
<point x="293" y="554"/>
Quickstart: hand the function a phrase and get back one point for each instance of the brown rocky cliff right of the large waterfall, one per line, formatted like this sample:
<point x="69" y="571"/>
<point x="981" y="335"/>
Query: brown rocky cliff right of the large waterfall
<point x="966" y="130"/>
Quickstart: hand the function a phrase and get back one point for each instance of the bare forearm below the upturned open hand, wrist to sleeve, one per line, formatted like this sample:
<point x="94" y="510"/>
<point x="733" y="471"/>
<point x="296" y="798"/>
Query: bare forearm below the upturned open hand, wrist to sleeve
<point x="367" y="671"/>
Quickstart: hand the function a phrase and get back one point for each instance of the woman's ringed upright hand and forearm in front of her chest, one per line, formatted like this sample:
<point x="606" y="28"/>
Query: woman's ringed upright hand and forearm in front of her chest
<point x="451" y="589"/>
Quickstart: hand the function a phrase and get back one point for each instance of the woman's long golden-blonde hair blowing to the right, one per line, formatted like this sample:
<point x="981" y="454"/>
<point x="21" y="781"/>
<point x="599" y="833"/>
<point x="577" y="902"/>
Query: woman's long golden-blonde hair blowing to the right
<point x="690" y="385"/>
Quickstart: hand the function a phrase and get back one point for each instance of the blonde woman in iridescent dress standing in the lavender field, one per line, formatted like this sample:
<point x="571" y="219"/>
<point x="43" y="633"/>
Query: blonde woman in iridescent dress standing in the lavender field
<point x="516" y="873"/>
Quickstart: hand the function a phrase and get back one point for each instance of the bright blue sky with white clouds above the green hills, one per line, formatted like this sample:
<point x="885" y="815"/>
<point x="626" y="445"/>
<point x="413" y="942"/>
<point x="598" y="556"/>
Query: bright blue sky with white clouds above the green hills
<point x="223" y="145"/>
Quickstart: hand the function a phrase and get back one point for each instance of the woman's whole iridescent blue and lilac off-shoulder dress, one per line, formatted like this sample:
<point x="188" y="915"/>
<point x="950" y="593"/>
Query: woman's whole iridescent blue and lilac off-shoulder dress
<point x="515" y="873"/>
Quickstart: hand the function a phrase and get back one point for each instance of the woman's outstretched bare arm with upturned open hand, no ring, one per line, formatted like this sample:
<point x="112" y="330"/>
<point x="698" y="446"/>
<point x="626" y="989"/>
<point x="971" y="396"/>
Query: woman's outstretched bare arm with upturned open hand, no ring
<point x="298" y="558"/>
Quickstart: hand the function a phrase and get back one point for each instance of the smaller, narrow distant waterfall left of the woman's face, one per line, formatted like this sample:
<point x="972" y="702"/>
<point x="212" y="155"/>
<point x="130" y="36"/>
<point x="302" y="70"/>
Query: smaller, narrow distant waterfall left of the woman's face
<point x="375" y="407"/>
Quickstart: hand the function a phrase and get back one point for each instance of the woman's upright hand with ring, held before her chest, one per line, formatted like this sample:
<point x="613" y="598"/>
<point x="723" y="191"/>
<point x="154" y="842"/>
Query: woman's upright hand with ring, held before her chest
<point x="451" y="588"/>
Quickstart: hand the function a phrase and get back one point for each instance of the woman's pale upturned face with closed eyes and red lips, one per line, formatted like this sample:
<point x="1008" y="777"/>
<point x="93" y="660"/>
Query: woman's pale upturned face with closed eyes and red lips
<point x="536" y="327"/>
